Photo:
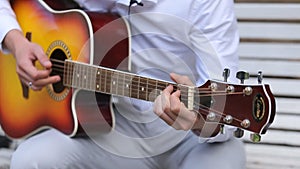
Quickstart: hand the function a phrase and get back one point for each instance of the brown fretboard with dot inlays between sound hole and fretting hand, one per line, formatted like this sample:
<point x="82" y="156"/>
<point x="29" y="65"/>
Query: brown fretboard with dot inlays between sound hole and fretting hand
<point x="99" y="79"/>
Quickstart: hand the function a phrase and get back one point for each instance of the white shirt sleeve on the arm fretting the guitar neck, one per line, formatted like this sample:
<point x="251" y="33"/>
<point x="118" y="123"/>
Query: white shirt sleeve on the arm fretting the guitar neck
<point x="215" y="38"/>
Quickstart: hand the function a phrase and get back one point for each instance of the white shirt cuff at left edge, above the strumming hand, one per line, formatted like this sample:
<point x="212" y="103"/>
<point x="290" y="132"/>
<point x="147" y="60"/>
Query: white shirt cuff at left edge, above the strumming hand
<point x="8" y="21"/>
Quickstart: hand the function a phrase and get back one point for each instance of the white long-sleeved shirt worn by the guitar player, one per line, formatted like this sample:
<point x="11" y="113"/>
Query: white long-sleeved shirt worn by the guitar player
<point x="197" y="38"/>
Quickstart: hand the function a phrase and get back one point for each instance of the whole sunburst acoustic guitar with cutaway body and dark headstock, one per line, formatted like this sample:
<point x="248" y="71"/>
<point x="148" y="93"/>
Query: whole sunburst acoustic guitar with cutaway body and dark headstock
<point x="83" y="97"/>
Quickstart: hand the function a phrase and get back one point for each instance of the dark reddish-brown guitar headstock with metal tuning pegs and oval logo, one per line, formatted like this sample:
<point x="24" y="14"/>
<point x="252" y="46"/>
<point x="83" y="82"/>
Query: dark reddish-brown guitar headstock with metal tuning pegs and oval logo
<point x="247" y="107"/>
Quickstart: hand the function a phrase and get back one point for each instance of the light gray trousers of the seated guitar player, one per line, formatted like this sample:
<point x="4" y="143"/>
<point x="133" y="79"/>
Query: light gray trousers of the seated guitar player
<point x="54" y="150"/>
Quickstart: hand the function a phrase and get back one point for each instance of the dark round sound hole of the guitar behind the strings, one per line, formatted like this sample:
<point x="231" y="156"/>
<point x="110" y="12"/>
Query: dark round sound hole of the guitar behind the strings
<point x="57" y="58"/>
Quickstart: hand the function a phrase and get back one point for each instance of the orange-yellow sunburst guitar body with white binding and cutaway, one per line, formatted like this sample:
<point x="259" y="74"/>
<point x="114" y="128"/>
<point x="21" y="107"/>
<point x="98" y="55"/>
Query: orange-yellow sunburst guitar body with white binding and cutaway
<point x="69" y="34"/>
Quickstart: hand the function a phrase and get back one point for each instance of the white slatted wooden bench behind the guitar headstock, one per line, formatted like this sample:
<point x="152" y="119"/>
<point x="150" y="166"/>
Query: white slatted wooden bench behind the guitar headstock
<point x="270" y="42"/>
